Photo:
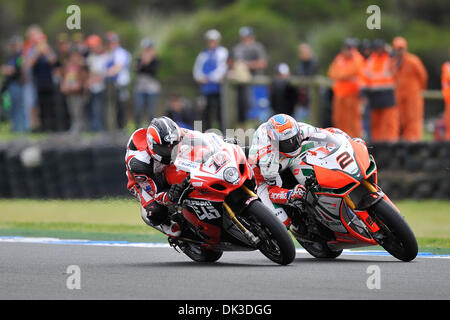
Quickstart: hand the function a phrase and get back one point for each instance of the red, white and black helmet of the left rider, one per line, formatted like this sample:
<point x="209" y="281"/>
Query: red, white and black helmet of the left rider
<point x="163" y="136"/>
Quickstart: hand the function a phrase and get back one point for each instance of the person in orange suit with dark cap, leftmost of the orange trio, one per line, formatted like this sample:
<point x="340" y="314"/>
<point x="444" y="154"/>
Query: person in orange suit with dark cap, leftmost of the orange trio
<point x="344" y="71"/>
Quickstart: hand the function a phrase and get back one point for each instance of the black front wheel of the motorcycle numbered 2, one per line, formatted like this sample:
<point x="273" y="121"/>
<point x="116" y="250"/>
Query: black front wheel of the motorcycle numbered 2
<point x="395" y="235"/>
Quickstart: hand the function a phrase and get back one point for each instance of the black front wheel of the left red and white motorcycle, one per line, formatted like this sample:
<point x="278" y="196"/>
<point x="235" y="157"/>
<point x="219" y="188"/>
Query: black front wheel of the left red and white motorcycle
<point x="275" y="241"/>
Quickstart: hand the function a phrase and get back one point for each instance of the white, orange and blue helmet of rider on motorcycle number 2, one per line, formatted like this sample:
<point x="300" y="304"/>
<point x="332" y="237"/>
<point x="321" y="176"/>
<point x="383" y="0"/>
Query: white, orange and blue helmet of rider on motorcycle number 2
<point x="285" y="133"/>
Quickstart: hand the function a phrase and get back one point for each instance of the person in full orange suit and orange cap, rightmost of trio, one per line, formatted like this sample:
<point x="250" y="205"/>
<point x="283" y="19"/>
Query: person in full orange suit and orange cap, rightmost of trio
<point x="410" y="79"/>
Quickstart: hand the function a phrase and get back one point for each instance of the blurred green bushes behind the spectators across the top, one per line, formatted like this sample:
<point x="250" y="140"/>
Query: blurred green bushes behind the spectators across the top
<point x="279" y="25"/>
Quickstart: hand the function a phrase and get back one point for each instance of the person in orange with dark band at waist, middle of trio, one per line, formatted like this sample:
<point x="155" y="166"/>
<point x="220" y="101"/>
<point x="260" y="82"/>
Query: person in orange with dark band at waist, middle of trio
<point x="379" y="90"/>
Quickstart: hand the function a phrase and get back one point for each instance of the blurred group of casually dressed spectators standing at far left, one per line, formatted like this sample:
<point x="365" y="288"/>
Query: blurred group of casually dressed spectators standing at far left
<point x="81" y="85"/>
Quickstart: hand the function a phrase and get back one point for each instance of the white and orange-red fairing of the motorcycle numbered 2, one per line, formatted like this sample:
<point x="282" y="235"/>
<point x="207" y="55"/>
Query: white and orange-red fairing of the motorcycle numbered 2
<point x="340" y="165"/>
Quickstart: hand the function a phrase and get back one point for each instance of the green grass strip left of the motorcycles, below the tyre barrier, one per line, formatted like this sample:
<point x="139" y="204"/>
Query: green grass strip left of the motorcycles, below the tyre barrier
<point x="108" y="219"/>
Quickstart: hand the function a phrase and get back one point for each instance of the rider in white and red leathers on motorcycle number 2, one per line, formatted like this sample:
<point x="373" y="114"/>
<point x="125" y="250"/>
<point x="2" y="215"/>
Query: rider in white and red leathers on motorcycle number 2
<point x="277" y="145"/>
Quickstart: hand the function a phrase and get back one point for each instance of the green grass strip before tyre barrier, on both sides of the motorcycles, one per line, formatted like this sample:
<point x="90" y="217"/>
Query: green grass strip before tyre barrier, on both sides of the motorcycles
<point x="118" y="219"/>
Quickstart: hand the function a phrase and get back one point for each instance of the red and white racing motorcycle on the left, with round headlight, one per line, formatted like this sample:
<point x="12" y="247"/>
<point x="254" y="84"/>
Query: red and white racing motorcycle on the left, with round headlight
<point x="219" y="210"/>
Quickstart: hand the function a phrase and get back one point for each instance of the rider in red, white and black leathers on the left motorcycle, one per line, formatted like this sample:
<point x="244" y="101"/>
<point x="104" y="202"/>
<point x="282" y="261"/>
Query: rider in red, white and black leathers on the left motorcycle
<point x="149" y="159"/>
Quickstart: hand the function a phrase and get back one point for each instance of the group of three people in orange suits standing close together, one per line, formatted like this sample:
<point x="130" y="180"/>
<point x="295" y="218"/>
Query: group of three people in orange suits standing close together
<point x="386" y="82"/>
